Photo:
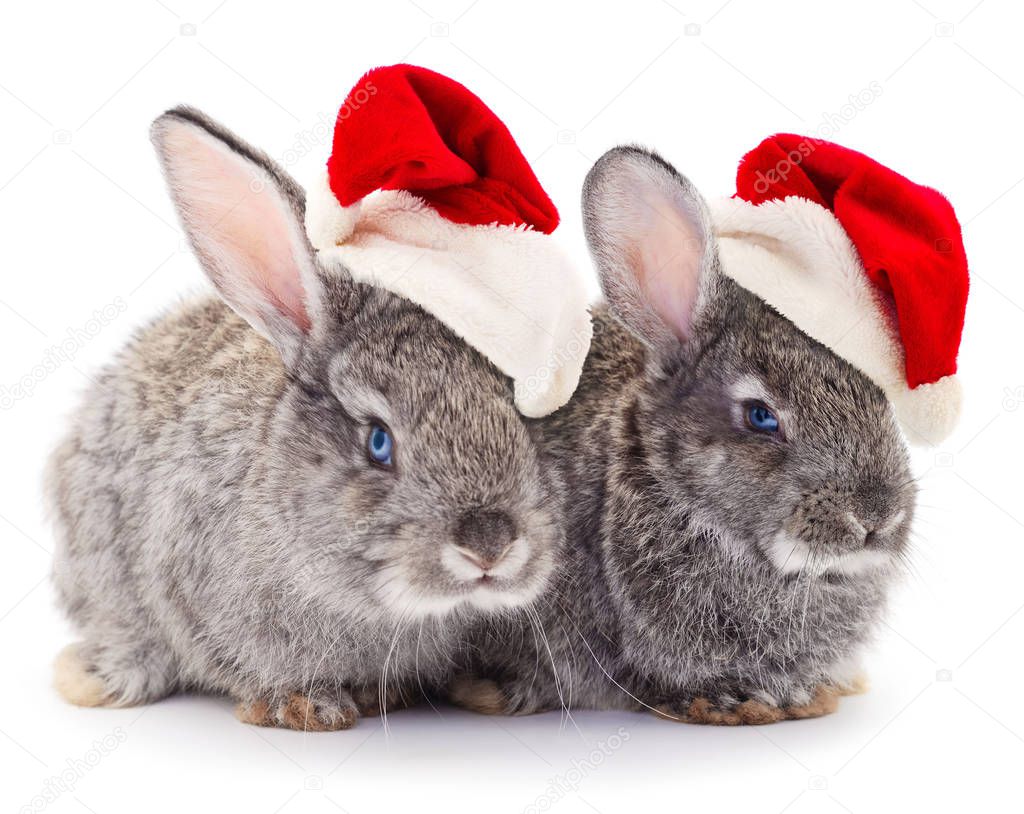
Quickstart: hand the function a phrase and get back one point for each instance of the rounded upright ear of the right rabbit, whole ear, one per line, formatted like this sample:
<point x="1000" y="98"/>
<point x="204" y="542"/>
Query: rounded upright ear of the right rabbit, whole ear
<point x="650" y="235"/>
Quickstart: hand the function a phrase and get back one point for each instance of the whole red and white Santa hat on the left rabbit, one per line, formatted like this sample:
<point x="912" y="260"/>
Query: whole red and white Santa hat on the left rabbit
<point x="428" y="195"/>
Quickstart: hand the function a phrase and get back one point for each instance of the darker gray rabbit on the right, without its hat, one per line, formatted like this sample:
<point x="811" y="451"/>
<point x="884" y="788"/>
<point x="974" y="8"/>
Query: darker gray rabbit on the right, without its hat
<point x="742" y="498"/>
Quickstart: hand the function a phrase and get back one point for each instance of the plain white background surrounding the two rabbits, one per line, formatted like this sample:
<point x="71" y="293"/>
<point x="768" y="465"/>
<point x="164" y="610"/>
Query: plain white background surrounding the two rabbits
<point x="87" y="222"/>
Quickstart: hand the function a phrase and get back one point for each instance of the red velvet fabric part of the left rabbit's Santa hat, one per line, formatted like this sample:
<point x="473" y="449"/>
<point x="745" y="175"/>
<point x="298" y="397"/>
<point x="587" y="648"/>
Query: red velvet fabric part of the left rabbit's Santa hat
<point x="404" y="127"/>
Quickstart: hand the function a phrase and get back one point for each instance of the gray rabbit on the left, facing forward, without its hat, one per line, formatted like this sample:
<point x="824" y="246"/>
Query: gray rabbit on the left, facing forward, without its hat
<point x="301" y="495"/>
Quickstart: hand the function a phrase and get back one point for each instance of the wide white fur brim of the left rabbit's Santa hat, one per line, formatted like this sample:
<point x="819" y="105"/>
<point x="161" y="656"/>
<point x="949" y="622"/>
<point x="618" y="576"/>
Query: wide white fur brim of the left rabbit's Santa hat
<point x="509" y="292"/>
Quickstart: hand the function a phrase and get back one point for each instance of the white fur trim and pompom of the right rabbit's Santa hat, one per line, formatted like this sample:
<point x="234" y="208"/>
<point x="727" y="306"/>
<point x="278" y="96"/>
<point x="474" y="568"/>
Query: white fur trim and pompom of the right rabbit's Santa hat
<point x="796" y="256"/>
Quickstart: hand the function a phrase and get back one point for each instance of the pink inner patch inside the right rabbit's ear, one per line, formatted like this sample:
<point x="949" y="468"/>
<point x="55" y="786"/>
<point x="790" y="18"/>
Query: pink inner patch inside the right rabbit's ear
<point x="669" y="263"/>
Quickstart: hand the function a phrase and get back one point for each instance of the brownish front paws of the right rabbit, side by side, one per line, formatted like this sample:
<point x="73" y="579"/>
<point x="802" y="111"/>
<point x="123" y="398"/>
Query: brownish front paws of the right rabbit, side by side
<point x="755" y="711"/>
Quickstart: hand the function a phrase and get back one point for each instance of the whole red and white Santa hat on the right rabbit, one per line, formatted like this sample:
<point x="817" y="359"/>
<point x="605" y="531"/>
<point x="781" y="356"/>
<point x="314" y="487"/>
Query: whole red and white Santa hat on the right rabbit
<point x="862" y="260"/>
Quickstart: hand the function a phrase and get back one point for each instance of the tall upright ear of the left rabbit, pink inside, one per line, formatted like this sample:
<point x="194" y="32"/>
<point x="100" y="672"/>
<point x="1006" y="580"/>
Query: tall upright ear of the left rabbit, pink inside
<point x="244" y="219"/>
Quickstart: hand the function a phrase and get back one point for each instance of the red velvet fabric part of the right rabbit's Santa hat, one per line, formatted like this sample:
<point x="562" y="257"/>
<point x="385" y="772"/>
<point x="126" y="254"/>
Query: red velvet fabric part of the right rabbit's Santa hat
<point x="907" y="235"/>
